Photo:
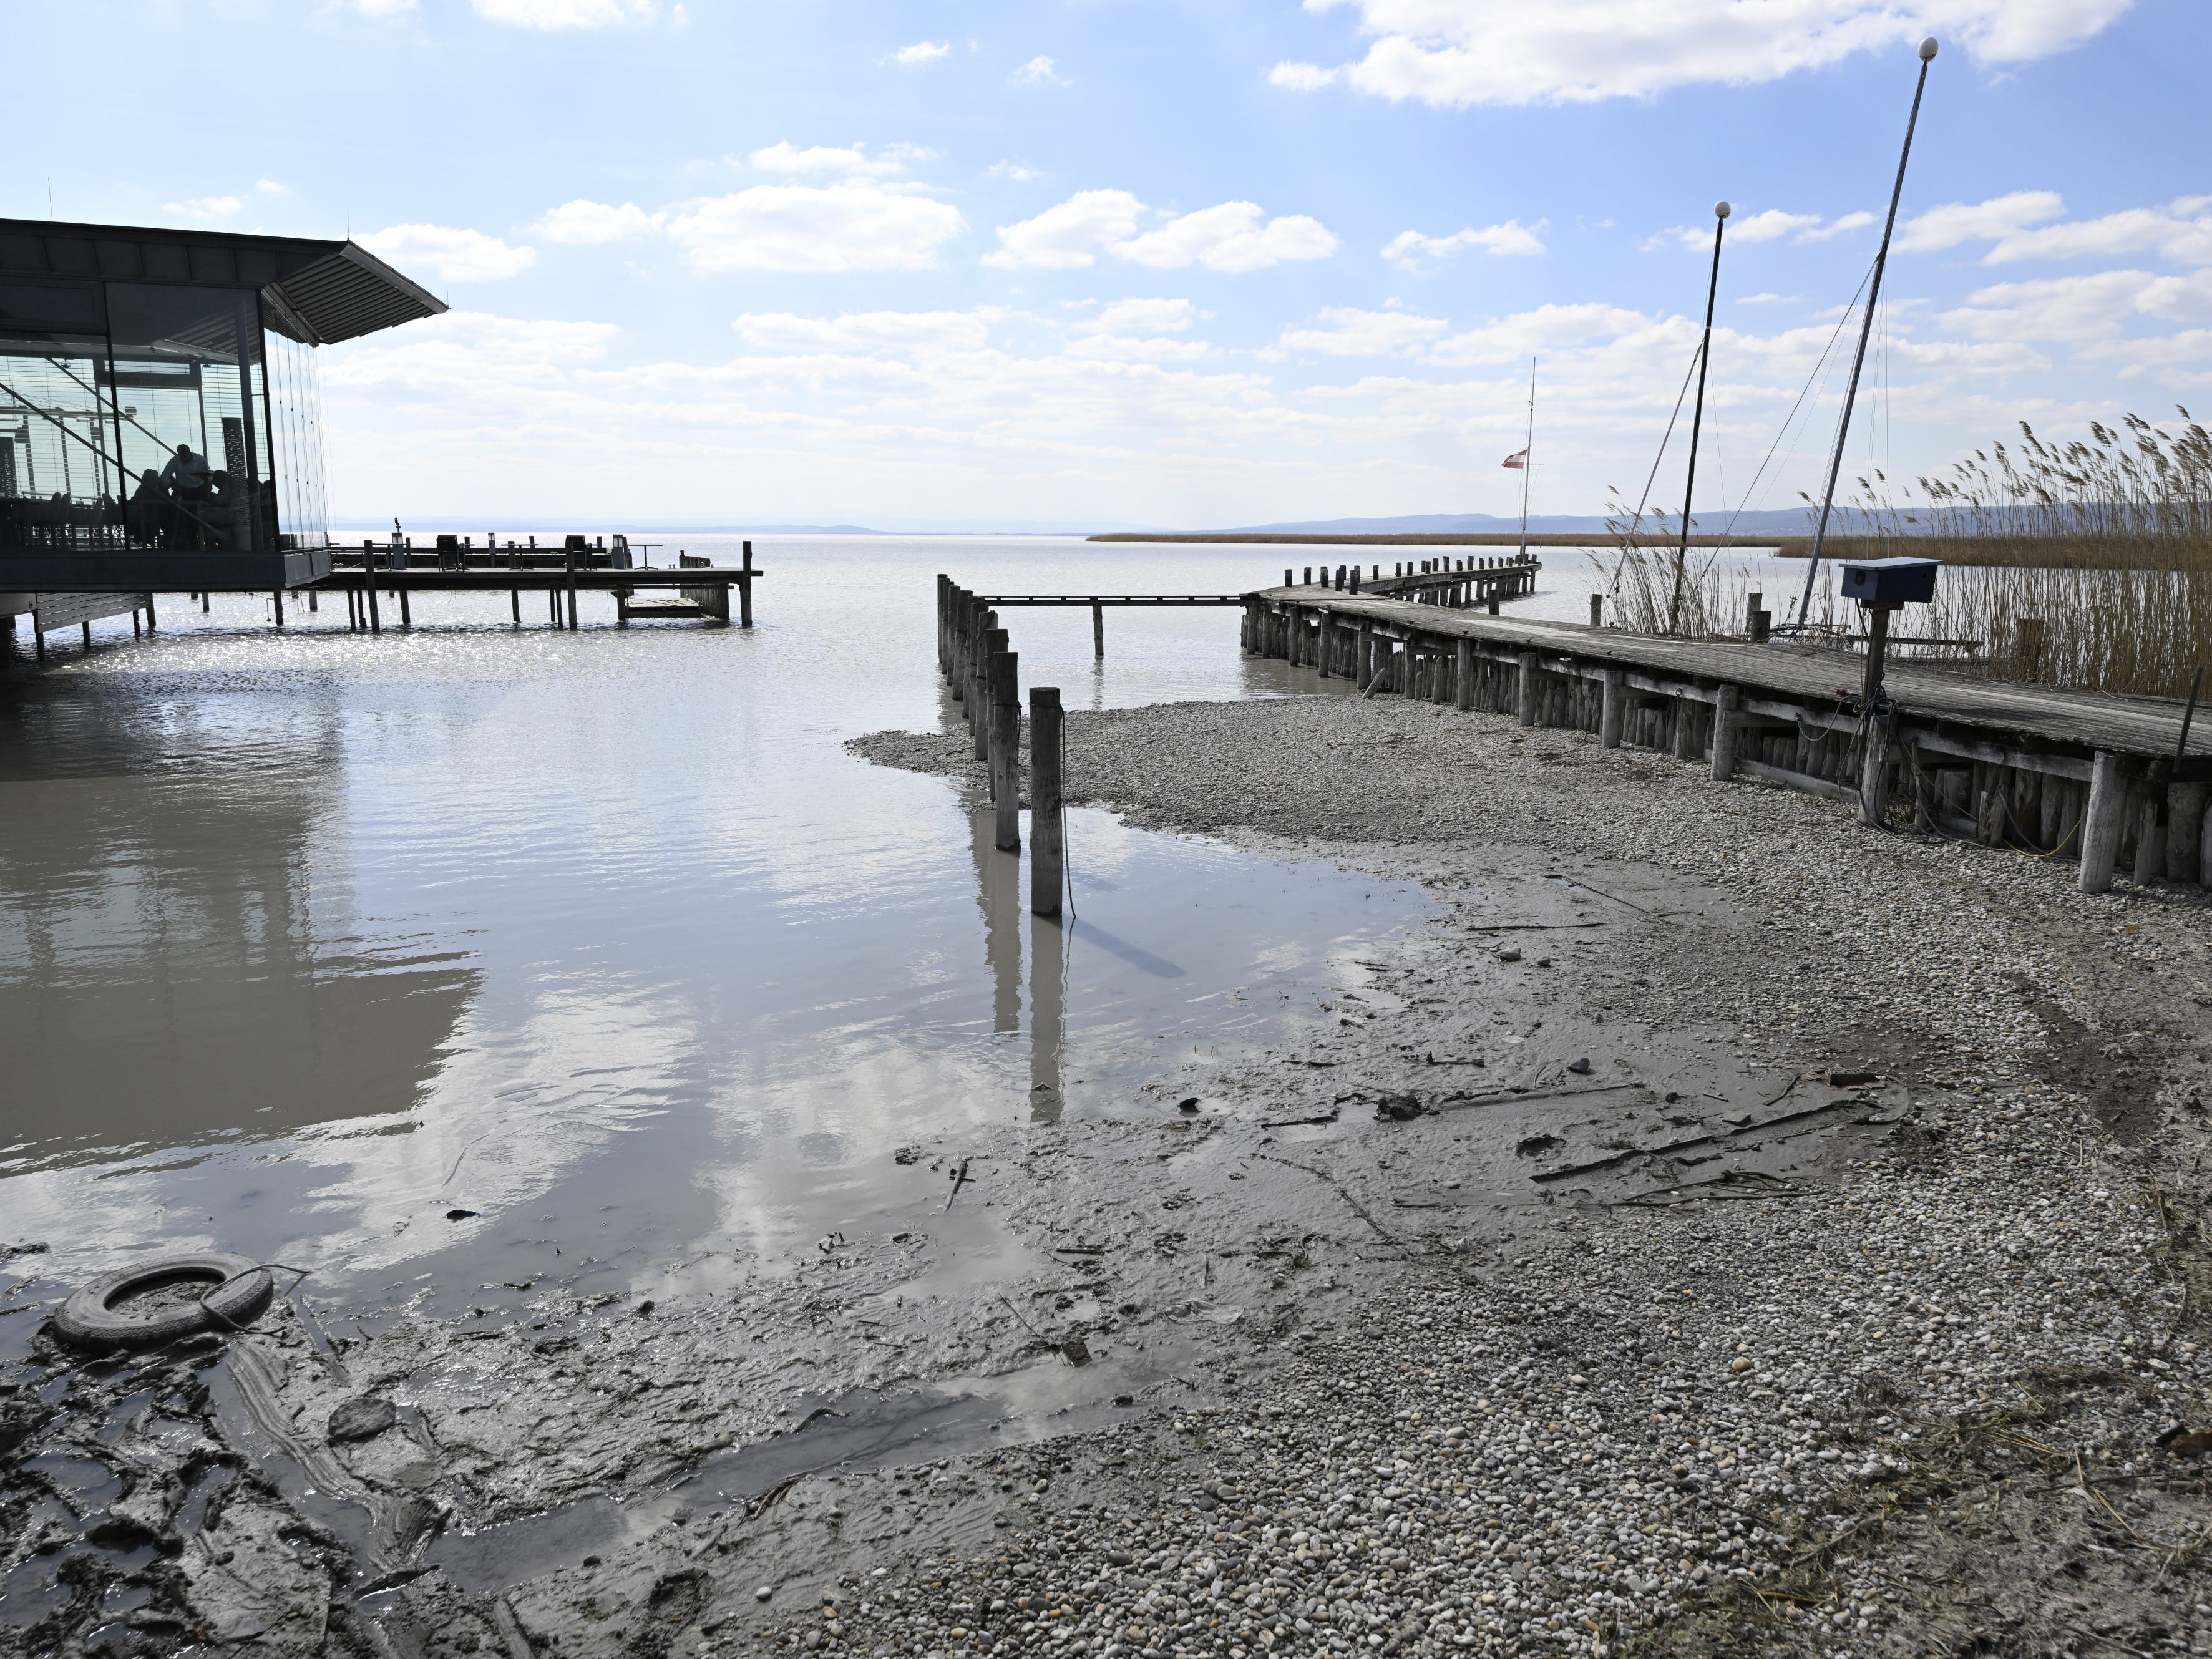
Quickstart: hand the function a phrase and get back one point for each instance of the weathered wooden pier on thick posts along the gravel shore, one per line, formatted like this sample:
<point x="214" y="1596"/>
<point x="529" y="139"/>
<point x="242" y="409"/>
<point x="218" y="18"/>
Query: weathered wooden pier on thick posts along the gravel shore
<point x="2111" y="782"/>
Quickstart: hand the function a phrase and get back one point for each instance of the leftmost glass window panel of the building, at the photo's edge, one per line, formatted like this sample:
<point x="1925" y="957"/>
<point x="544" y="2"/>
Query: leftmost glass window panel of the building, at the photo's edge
<point x="59" y="479"/>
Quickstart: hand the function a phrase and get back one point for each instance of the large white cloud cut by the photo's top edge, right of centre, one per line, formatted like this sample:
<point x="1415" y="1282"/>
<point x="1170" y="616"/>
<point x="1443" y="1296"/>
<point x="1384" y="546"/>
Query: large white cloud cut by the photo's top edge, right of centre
<point x="1499" y="52"/>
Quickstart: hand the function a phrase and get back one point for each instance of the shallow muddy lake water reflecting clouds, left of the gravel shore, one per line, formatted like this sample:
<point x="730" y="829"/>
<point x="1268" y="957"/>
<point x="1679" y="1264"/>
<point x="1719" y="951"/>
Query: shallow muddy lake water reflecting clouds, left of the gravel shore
<point x="313" y="941"/>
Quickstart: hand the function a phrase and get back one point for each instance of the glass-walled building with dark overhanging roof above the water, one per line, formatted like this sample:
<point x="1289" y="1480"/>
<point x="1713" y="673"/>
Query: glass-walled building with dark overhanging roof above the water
<point x="160" y="421"/>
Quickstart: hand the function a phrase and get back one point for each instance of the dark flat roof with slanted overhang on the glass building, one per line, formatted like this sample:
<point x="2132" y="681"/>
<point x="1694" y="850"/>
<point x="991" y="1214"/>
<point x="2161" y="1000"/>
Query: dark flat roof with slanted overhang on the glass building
<point x="331" y="291"/>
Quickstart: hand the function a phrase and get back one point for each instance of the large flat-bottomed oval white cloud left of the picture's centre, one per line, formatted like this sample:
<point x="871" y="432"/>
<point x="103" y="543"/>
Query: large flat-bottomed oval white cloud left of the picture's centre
<point x="855" y="225"/>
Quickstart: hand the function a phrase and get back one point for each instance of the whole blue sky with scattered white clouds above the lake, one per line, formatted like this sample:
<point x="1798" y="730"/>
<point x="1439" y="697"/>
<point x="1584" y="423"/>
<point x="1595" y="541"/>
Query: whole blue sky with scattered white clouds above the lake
<point x="1145" y="264"/>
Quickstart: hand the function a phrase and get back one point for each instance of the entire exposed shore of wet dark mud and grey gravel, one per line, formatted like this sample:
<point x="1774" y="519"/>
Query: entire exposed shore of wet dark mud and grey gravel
<point x="1724" y="1231"/>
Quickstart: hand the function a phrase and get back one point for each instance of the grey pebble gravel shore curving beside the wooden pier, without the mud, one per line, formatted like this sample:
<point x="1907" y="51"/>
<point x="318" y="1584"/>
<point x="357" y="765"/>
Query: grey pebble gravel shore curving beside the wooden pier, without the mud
<point x="1903" y="1404"/>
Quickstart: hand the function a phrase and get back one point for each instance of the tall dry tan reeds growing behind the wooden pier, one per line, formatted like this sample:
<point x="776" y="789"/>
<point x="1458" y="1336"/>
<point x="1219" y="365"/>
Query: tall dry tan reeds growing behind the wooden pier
<point x="2083" y="565"/>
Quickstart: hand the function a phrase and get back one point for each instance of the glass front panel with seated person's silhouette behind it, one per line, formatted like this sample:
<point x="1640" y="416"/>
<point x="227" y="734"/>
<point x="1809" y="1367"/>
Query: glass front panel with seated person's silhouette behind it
<point x="191" y="413"/>
